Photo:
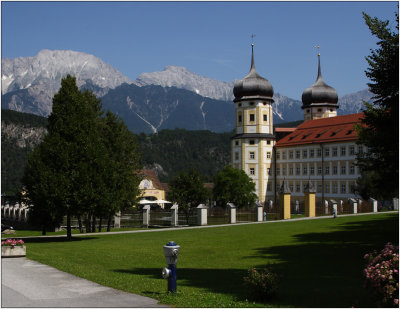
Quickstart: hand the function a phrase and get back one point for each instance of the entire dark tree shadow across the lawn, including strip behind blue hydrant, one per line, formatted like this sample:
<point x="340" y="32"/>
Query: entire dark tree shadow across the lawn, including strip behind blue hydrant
<point x="317" y="270"/>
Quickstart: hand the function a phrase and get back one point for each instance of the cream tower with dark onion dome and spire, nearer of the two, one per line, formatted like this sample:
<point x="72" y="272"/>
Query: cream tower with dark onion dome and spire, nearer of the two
<point x="252" y="145"/>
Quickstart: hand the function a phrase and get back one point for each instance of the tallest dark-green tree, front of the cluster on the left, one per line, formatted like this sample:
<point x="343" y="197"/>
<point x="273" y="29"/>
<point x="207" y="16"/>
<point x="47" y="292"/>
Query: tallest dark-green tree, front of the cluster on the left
<point x="71" y="158"/>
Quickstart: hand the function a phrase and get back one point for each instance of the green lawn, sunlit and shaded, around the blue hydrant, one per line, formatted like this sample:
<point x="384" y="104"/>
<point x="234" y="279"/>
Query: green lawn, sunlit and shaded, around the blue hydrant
<point x="320" y="261"/>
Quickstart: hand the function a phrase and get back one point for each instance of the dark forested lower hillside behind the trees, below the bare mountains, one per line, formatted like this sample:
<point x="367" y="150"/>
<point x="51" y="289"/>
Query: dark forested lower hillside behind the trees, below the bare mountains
<point x="167" y="152"/>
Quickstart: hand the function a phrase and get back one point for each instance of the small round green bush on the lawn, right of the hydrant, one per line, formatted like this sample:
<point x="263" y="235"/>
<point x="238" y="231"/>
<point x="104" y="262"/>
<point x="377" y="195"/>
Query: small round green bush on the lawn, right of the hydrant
<point x="261" y="284"/>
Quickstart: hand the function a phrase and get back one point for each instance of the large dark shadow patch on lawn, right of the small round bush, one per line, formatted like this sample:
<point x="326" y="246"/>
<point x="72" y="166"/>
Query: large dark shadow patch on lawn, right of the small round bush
<point x="326" y="269"/>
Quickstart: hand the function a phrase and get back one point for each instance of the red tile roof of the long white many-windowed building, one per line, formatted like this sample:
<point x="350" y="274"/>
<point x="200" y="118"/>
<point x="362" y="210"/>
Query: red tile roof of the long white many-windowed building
<point x="324" y="130"/>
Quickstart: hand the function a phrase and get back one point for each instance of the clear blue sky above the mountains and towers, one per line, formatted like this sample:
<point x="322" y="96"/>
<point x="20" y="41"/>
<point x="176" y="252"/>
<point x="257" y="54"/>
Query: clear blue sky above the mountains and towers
<point x="208" y="38"/>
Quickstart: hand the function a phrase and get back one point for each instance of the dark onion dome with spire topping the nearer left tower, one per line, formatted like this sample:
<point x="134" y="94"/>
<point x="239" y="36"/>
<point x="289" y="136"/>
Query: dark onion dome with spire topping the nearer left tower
<point x="253" y="86"/>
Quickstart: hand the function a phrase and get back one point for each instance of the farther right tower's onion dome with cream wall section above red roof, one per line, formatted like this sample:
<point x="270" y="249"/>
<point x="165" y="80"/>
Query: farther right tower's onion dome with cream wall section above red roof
<point x="319" y="100"/>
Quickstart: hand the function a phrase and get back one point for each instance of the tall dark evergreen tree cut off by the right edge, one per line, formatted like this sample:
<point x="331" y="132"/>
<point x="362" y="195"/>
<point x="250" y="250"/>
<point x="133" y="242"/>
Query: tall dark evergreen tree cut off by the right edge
<point x="379" y="129"/>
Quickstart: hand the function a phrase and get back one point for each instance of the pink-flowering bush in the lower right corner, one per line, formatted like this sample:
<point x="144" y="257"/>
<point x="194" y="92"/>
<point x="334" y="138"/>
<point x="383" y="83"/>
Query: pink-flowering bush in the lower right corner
<point x="382" y="275"/>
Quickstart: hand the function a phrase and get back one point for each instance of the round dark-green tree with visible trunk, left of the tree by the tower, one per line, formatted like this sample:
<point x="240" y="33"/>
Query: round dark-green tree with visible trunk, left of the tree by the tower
<point x="188" y="191"/>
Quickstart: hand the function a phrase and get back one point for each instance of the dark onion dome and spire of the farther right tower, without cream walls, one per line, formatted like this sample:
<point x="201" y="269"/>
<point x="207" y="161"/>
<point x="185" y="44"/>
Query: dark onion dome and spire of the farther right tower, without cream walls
<point x="319" y="93"/>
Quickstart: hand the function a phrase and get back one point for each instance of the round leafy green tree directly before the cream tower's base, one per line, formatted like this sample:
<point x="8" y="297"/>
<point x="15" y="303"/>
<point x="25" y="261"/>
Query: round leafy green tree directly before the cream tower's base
<point x="234" y="186"/>
